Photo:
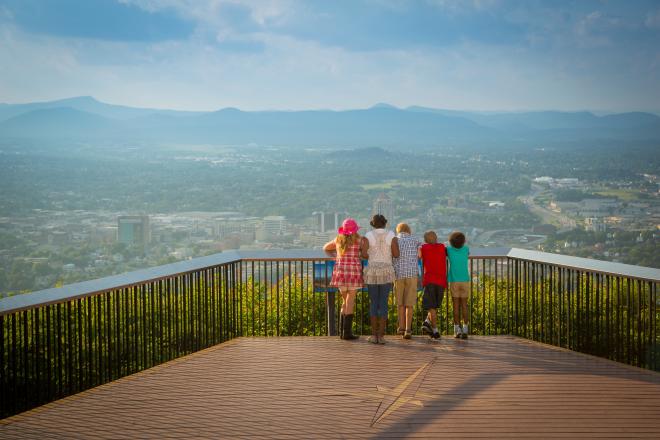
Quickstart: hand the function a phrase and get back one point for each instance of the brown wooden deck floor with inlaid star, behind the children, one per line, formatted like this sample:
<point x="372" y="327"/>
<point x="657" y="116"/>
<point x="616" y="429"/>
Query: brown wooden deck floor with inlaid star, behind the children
<point x="320" y="387"/>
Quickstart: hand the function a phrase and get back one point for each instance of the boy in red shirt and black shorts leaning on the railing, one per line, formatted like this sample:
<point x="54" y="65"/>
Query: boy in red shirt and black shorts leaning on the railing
<point x="434" y="280"/>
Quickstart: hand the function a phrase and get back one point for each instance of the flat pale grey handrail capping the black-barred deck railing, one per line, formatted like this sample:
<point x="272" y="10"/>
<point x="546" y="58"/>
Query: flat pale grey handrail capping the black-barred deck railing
<point x="83" y="289"/>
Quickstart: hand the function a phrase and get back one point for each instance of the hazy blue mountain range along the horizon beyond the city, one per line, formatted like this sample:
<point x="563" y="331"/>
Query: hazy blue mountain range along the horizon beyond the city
<point x="380" y="125"/>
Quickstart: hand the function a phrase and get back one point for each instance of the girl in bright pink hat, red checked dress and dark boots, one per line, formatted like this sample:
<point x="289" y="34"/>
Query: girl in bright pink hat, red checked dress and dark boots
<point x="347" y="274"/>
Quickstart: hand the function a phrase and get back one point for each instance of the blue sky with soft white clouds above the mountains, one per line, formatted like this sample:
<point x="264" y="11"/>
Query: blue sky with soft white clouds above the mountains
<point x="490" y="55"/>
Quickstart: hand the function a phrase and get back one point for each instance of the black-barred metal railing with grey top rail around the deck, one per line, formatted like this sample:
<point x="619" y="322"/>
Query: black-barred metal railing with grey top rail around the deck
<point x="57" y="342"/>
